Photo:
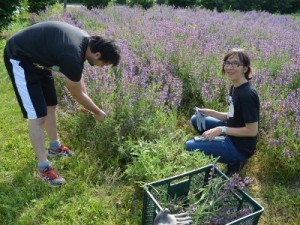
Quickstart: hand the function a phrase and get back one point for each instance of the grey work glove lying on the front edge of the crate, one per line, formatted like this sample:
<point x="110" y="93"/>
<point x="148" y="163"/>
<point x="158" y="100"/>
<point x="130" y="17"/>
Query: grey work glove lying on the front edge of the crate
<point x="164" y="218"/>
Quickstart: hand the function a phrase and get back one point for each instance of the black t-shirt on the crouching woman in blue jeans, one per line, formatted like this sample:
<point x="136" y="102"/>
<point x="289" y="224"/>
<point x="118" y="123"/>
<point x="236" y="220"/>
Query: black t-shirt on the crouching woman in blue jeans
<point x="246" y="110"/>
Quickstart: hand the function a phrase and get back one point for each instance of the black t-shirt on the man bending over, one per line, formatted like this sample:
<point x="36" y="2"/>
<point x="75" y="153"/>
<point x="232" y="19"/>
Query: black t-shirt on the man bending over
<point x="51" y="44"/>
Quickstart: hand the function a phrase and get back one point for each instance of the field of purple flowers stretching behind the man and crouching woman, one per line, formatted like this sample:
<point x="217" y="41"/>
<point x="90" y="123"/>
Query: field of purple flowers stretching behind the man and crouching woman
<point x="171" y="60"/>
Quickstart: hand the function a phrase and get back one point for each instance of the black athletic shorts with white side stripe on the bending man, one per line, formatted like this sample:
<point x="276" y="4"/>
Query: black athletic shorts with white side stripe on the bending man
<point x="34" y="87"/>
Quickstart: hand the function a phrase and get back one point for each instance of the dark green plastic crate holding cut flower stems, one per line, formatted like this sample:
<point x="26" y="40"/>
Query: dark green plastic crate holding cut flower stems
<point x="182" y="184"/>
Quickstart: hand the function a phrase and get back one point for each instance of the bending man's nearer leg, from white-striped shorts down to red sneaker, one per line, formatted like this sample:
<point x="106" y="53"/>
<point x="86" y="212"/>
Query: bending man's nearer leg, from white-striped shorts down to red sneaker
<point x="29" y="94"/>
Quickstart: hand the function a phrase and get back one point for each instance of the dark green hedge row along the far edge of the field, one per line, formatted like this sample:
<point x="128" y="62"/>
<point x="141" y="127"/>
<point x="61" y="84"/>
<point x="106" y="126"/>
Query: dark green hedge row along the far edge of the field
<point x="8" y="8"/>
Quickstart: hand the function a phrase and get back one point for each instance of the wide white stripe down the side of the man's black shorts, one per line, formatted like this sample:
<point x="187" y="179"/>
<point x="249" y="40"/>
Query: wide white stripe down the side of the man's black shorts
<point x="20" y="80"/>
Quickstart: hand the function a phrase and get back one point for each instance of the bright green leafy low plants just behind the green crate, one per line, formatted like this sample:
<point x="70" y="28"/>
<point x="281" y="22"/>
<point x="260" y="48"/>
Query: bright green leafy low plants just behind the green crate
<point x="161" y="158"/>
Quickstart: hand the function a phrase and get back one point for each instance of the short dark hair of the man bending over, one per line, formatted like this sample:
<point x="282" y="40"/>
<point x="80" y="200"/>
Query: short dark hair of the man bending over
<point x="109" y="51"/>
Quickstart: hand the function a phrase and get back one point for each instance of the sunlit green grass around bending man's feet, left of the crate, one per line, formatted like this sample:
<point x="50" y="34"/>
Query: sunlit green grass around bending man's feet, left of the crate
<point x="91" y="194"/>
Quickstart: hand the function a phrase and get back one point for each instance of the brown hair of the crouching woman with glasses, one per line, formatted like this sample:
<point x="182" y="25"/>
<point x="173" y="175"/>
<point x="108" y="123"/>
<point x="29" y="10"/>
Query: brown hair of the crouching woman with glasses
<point x="244" y="59"/>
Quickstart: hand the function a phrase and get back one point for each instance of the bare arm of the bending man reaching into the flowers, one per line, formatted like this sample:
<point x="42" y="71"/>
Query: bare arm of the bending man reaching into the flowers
<point x="78" y="92"/>
